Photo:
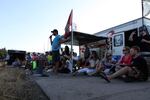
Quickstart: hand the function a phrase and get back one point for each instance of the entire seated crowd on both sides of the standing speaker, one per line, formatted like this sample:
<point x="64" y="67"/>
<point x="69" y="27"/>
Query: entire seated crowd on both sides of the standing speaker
<point x="130" y="67"/>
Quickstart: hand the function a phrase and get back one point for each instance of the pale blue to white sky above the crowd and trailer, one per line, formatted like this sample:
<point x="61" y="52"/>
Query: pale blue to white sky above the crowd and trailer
<point x="26" y="24"/>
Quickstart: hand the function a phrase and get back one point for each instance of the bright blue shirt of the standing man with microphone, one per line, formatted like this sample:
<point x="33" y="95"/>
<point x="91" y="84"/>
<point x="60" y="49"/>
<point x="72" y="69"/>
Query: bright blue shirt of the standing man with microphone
<point x="55" y="43"/>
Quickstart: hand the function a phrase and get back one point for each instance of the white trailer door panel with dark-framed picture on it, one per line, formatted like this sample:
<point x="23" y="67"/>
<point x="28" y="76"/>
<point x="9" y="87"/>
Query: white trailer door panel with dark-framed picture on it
<point x="118" y="42"/>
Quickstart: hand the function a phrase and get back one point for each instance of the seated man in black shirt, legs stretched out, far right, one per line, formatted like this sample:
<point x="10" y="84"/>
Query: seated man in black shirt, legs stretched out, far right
<point x="137" y="71"/>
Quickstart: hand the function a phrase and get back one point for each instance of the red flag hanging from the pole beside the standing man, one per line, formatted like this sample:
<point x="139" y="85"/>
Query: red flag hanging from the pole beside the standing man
<point x="68" y="25"/>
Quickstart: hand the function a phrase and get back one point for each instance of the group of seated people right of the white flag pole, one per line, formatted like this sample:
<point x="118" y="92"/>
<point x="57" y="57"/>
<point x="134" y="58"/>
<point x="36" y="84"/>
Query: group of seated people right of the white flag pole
<point x="130" y="67"/>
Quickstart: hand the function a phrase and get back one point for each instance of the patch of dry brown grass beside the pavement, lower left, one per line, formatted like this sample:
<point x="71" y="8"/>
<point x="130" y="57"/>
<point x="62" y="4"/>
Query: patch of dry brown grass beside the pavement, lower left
<point x="16" y="85"/>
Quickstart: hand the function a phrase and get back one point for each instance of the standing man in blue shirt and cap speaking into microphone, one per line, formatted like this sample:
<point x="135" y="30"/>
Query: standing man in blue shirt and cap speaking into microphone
<point x="56" y="45"/>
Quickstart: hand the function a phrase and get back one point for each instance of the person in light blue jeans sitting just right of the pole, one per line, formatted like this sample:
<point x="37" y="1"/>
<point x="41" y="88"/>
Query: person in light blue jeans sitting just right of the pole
<point x="90" y="68"/>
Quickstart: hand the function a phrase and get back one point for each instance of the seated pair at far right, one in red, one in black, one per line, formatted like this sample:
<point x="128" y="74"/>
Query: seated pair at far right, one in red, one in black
<point x="132" y="67"/>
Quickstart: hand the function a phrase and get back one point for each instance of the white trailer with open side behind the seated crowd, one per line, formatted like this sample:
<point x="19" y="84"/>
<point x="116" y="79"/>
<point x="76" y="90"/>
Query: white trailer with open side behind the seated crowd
<point x="122" y="33"/>
